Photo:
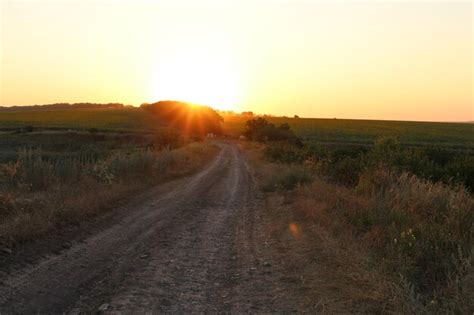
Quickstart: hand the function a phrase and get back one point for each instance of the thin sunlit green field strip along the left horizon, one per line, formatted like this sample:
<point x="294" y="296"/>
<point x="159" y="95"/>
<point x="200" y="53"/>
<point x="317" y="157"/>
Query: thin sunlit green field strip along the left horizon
<point x="129" y="119"/>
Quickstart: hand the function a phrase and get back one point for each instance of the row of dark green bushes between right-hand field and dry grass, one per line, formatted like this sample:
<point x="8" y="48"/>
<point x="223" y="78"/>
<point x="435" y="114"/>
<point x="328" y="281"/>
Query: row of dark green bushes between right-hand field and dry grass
<point x="345" y="165"/>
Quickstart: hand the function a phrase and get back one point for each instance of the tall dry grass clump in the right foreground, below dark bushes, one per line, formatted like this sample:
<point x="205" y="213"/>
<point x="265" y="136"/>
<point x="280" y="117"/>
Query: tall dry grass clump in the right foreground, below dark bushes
<point x="419" y="231"/>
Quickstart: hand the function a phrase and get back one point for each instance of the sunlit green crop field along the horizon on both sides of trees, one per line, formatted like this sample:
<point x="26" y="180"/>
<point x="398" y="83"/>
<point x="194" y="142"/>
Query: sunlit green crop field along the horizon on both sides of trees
<point x="342" y="131"/>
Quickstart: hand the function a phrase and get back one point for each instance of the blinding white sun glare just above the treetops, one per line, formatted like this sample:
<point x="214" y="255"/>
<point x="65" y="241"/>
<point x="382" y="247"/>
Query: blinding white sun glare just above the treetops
<point x="197" y="72"/>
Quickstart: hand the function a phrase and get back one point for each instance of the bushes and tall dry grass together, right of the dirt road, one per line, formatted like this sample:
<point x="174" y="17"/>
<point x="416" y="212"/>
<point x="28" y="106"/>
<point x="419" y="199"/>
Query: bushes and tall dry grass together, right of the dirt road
<point x="410" y="209"/>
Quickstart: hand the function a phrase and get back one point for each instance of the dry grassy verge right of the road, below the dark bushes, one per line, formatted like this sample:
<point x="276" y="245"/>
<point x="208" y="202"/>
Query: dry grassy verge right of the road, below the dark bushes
<point x="410" y="238"/>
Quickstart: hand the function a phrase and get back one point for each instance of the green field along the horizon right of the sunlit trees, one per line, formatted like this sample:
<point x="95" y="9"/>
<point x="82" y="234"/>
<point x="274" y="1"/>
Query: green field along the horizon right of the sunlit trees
<point x="364" y="132"/>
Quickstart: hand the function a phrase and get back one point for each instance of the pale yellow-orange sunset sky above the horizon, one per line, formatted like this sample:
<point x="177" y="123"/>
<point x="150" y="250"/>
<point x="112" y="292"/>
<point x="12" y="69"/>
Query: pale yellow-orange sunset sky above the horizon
<point x="400" y="60"/>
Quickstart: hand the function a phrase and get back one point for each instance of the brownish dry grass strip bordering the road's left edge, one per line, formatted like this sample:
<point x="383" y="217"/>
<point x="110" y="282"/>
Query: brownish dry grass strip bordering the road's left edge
<point x="27" y="214"/>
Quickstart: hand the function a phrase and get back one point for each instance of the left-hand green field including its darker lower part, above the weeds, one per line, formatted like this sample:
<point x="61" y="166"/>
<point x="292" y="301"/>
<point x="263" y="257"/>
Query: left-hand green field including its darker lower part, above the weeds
<point x="74" y="133"/>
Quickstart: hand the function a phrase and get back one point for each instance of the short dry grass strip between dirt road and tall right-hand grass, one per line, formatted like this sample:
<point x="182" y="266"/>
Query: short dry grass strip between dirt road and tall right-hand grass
<point x="326" y="270"/>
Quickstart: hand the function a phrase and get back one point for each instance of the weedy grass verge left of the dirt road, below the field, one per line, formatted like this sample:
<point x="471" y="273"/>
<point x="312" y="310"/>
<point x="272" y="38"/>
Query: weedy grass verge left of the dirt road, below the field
<point x="39" y="195"/>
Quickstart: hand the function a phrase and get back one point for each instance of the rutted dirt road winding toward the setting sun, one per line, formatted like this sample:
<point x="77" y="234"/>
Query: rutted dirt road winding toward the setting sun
<point x="185" y="246"/>
